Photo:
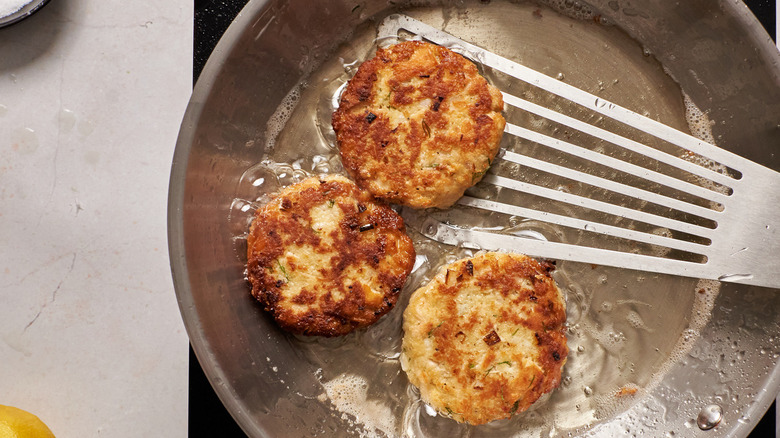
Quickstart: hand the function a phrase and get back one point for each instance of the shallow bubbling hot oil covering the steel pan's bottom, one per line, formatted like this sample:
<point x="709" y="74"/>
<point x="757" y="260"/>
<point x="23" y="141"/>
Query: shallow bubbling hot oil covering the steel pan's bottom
<point x="625" y="328"/>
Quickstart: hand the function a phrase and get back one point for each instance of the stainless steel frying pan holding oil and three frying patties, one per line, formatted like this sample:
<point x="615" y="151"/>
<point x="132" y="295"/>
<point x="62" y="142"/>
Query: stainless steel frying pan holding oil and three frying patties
<point x="686" y="347"/>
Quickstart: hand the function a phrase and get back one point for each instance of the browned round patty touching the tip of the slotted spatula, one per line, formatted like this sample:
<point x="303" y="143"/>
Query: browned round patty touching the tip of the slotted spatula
<point x="417" y="125"/>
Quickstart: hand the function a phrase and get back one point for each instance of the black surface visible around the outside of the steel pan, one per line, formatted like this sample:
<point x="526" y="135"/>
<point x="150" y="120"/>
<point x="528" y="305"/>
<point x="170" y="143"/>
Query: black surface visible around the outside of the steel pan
<point x="207" y="416"/>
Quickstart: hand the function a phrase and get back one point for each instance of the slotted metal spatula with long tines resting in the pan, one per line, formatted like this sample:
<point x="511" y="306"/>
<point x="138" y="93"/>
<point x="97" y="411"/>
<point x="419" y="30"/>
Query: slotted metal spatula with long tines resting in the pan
<point x="649" y="208"/>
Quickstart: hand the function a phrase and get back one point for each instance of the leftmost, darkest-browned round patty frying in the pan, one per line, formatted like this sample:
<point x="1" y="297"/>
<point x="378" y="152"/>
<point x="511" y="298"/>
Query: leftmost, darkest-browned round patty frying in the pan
<point x="325" y="259"/>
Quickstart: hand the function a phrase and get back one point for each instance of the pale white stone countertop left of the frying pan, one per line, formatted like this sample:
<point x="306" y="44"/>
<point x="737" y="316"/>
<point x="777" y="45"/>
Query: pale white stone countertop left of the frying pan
<point x="92" y="93"/>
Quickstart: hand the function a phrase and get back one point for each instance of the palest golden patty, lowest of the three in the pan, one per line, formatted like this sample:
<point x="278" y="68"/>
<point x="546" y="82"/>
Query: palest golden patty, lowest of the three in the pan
<point x="485" y="338"/>
